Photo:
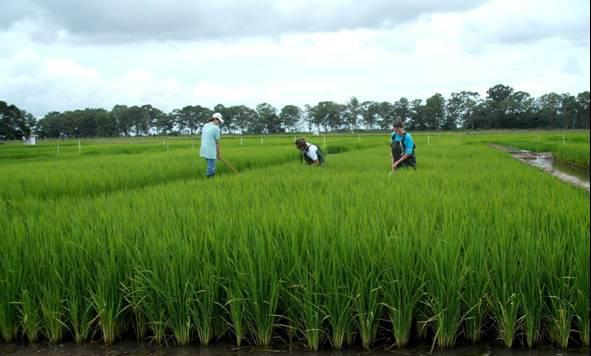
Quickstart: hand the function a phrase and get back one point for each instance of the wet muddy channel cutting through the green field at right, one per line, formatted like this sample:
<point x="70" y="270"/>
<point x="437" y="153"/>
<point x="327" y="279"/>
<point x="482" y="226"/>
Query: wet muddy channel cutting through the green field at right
<point x="546" y="162"/>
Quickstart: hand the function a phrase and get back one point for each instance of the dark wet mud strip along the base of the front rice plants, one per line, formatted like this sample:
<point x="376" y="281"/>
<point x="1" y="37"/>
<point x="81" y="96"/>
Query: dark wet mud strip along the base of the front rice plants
<point x="131" y="348"/>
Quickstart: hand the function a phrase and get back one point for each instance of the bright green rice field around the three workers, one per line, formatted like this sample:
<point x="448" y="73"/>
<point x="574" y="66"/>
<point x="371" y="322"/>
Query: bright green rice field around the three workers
<point x="127" y="239"/>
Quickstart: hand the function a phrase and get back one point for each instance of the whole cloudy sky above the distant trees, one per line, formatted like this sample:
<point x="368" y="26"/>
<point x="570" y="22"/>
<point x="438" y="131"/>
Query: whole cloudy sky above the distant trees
<point x="63" y="55"/>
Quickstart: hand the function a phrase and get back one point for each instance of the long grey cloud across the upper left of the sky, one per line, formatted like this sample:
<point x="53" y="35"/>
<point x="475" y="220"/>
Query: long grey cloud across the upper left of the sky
<point x="114" y="21"/>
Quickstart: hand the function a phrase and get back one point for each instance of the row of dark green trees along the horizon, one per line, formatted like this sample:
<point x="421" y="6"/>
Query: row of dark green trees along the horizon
<point x="501" y="108"/>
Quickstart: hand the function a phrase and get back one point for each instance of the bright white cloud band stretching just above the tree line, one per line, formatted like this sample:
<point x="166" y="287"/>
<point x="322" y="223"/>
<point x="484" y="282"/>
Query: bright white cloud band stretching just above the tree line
<point x="444" y="52"/>
